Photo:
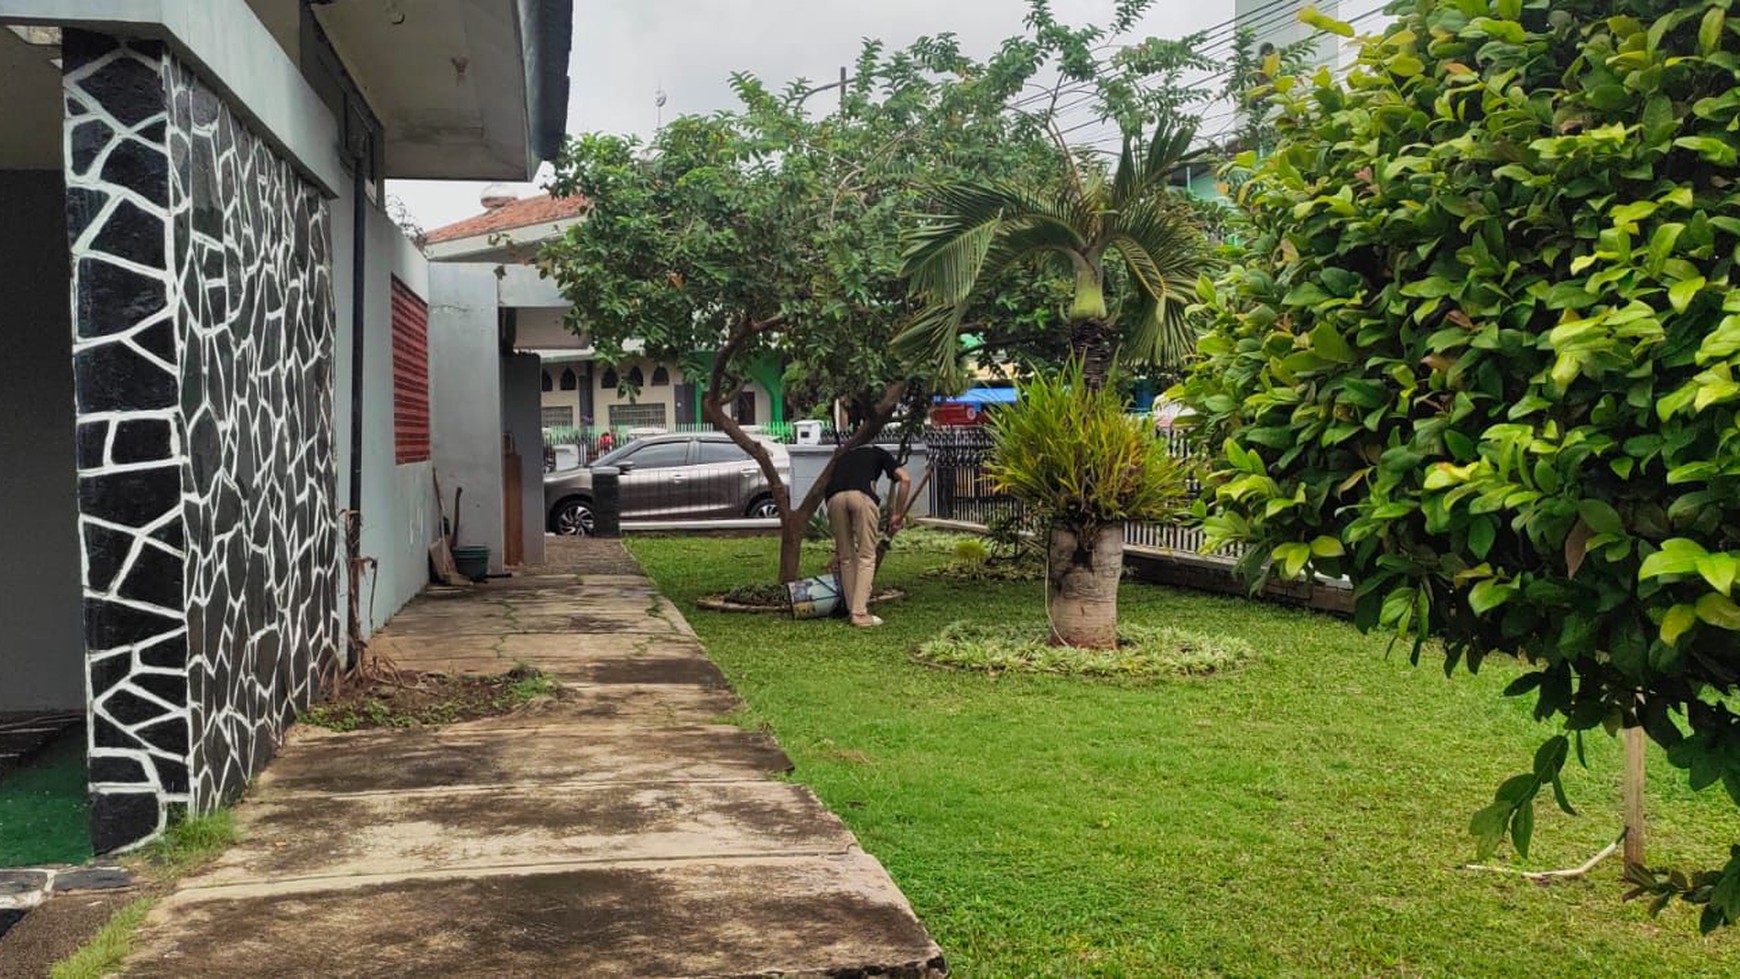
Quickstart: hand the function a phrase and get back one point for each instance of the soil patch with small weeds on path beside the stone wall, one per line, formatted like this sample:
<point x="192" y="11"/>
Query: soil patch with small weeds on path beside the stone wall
<point x="432" y="700"/>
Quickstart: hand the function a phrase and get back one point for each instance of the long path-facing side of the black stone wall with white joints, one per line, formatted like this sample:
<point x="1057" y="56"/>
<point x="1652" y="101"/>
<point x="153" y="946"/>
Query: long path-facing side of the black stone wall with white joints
<point x="257" y="310"/>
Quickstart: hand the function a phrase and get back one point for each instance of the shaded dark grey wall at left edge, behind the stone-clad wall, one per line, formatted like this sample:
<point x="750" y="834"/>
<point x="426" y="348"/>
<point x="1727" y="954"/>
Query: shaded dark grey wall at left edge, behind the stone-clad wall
<point x="41" y="611"/>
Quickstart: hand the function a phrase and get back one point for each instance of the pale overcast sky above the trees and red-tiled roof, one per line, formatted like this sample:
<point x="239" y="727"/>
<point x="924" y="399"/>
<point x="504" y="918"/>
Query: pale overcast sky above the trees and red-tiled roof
<point x="626" y="51"/>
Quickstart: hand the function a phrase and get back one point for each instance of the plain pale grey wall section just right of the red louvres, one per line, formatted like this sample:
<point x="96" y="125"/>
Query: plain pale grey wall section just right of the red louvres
<point x="465" y="399"/>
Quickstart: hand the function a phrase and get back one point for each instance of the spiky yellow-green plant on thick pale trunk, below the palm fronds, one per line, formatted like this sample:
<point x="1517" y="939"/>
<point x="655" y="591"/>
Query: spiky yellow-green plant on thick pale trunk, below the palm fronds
<point x="1080" y="463"/>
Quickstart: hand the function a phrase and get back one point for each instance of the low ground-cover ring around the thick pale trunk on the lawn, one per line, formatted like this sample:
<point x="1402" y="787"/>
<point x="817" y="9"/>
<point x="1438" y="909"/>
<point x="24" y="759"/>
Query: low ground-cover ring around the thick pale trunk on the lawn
<point x="1142" y="653"/>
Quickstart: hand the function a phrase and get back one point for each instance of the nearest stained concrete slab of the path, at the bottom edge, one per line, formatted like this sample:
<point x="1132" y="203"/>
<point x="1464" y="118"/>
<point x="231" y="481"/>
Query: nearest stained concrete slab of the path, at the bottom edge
<point x="808" y="916"/>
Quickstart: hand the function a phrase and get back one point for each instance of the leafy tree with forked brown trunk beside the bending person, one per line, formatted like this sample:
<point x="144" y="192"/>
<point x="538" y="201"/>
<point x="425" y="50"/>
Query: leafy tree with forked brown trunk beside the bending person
<point x="770" y="232"/>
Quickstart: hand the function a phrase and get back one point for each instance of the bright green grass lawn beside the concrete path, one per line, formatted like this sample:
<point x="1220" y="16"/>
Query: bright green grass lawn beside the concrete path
<point x="1302" y="816"/>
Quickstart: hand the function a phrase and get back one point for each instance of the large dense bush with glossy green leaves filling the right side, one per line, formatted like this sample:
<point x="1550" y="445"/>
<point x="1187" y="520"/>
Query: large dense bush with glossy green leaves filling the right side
<point x="1482" y="359"/>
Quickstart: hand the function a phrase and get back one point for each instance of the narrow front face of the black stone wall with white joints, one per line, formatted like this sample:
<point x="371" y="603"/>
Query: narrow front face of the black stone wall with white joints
<point x="131" y="437"/>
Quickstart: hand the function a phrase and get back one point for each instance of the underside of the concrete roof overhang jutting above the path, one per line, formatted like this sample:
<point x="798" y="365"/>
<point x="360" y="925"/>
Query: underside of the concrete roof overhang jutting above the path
<point x="465" y="90"/>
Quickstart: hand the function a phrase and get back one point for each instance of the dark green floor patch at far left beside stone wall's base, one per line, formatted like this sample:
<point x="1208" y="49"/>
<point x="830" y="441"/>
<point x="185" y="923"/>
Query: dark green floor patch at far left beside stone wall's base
<point x="43" y="808"/>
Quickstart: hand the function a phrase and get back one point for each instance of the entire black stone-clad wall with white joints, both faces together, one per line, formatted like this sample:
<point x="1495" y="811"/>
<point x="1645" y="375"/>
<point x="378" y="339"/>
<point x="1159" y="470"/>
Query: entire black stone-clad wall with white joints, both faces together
<point x="204" y="319"/>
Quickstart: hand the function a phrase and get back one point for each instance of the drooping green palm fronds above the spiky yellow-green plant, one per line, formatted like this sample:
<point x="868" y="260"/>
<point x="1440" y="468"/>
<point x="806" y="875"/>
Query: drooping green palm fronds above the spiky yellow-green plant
<point x="984" y="229"/>
